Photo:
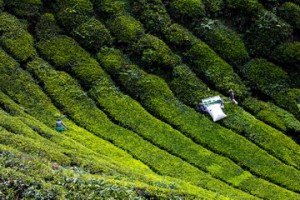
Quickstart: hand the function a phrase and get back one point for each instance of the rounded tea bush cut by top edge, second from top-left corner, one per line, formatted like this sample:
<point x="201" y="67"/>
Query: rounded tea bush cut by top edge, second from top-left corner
<point x="72" y="13"/>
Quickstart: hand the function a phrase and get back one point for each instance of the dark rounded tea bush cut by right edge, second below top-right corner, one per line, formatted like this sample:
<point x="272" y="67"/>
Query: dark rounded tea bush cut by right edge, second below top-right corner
<point x="288" y="55"/>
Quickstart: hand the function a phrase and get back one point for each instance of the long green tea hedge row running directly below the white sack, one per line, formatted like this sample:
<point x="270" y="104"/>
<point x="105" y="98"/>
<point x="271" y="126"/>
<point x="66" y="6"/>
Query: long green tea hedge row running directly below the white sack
<point x="146" y="88"/>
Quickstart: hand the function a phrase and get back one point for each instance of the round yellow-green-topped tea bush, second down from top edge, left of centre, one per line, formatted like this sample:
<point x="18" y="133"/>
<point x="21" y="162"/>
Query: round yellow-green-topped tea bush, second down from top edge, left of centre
<point x="126" y="29"/>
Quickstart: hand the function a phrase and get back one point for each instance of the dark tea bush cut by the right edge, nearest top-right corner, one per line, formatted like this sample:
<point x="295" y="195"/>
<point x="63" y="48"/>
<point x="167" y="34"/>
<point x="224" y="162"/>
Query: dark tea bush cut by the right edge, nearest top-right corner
<point x="291" y="13"/>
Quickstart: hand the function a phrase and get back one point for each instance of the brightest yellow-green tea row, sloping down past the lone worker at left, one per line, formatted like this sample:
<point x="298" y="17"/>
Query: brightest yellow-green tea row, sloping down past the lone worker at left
<point x="113" y="155"/>
